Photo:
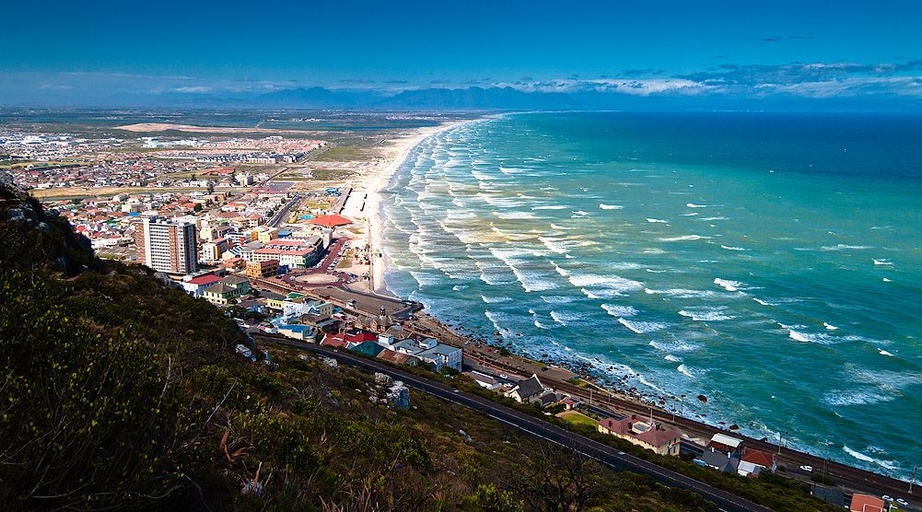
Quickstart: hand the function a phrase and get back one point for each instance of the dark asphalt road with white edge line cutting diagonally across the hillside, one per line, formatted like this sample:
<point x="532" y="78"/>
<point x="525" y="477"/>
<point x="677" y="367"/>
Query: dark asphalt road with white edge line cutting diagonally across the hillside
<point x="607" y="455"/>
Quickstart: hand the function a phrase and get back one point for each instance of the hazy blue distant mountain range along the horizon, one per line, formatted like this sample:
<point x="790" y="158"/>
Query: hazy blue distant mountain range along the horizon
<point x="491" y="98"/>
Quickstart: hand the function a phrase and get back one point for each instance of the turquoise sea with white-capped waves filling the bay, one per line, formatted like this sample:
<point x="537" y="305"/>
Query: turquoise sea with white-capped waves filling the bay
<point x="769" y="262"/>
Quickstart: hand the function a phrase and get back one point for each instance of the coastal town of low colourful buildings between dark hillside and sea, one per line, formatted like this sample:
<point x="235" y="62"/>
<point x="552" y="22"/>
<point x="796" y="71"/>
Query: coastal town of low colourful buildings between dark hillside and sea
<point x="293" y="259"/>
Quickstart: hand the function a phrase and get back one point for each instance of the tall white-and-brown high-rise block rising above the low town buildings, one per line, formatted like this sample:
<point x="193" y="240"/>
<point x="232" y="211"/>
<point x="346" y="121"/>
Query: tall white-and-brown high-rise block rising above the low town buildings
<point x="166" y="246"/>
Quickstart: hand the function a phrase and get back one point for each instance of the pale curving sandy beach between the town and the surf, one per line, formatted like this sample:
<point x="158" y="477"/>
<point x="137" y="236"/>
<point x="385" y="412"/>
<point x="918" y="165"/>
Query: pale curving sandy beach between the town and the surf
<point x="365" y="201"/>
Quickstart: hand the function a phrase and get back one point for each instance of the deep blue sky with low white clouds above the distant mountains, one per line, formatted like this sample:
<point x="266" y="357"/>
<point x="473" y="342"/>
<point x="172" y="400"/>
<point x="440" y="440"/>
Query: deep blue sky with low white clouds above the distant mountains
<point x="806" y="49"/>
